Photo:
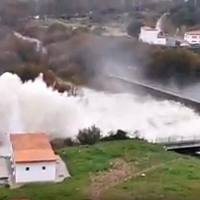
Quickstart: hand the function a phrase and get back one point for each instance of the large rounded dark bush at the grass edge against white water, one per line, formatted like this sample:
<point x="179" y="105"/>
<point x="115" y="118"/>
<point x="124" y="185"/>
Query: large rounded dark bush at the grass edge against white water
<point x="89" y="136"/>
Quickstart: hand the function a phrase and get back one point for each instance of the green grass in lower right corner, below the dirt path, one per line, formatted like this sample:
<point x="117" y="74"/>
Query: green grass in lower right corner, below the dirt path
<point x="178" y="181"/>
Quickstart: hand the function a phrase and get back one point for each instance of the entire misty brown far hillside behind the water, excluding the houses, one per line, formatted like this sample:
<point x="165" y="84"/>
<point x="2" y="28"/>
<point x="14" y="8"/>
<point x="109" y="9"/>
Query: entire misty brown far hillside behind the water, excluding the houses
<point x="80" y="48"/>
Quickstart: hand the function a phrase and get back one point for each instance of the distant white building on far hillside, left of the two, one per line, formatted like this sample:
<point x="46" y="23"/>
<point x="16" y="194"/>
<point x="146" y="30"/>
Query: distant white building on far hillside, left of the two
<point x="152" y="36"/>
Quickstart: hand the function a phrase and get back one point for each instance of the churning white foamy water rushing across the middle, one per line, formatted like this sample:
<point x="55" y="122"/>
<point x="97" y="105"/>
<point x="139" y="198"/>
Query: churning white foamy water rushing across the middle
<point x="32" y="107"/>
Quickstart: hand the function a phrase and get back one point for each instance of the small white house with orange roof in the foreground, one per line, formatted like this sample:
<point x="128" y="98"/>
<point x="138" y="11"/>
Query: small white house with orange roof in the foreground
<point x="33" y="159"/>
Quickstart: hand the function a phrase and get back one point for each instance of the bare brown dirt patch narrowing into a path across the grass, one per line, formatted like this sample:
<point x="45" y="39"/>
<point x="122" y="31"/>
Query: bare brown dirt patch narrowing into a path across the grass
<point x="120" y="172"/>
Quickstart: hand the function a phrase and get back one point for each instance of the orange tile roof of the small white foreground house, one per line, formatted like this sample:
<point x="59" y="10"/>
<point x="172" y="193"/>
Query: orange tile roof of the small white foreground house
<point x="31" y="147"/>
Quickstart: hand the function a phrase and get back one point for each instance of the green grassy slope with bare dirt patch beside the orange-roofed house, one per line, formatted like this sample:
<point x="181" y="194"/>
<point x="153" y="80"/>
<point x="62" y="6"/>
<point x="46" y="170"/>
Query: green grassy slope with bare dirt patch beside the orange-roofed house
<point x="120" y="169"/>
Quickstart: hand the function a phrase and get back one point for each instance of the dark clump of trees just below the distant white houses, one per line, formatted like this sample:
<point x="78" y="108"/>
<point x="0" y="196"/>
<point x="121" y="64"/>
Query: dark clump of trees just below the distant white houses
<point x="181" y="64"/>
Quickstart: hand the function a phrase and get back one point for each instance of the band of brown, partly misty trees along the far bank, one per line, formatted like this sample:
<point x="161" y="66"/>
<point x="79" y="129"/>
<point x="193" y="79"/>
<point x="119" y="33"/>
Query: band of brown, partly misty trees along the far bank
<point x="80" y="57"/>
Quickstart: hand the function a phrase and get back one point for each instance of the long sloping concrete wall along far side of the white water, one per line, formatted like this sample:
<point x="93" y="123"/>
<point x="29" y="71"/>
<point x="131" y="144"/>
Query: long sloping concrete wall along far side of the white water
<point x="156" y="92"/>
